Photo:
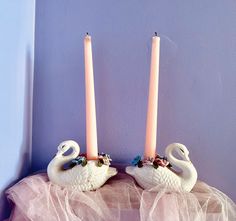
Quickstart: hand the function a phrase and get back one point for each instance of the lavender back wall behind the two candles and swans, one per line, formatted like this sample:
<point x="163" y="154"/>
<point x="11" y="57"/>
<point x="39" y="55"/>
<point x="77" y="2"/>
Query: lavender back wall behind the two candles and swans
<point x="197" y="101"/>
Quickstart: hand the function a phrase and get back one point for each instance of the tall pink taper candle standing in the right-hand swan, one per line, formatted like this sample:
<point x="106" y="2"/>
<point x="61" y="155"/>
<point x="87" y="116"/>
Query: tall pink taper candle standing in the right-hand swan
<point x="151" y="124"/>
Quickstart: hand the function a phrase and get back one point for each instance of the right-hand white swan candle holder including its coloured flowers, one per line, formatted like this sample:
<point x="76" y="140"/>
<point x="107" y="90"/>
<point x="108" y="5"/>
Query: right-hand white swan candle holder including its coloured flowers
<point x="151" y="173"/>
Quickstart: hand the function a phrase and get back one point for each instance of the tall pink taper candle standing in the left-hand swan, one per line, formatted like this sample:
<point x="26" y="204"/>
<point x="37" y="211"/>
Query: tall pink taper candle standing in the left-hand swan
<point x="91" y="125"/>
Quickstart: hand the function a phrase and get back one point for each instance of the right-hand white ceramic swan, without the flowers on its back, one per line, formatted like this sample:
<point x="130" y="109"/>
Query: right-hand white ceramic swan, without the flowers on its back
<point x="149" y="177"/>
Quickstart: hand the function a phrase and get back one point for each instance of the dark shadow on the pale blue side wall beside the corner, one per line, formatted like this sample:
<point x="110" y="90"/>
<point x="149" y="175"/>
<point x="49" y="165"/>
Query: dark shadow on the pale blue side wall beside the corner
<point x="24" y="160"/>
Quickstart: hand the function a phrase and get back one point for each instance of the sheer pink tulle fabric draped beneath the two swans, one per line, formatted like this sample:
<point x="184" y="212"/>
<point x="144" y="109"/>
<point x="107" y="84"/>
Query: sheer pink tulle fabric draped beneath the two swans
<point x="37" y="199"/>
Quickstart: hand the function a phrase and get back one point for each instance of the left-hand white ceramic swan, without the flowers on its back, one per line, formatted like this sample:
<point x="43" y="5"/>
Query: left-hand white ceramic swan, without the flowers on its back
<point x="89" y="177"/>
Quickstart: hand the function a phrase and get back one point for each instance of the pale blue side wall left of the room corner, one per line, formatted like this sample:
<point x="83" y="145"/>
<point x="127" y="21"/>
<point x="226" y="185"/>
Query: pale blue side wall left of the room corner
<point x="16" y="77"/>
